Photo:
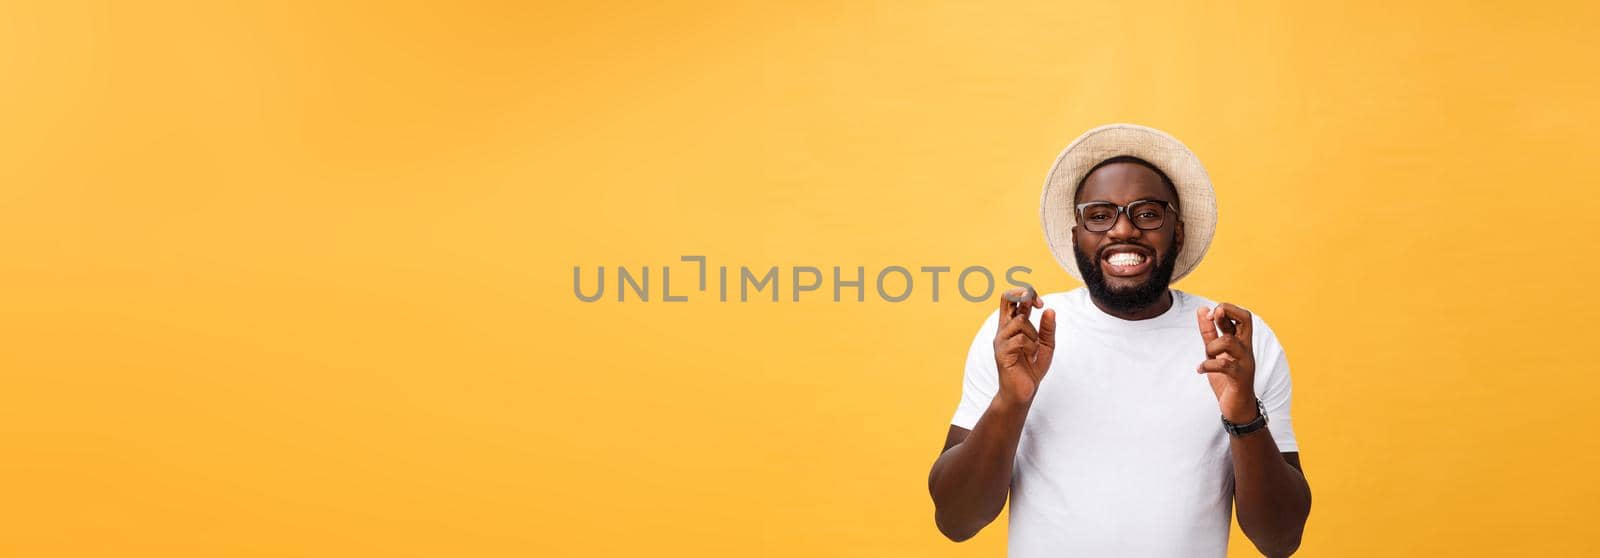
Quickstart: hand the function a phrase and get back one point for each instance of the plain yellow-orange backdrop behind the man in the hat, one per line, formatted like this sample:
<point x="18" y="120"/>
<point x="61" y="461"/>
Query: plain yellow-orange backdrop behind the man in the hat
<point x="295" y="279"/>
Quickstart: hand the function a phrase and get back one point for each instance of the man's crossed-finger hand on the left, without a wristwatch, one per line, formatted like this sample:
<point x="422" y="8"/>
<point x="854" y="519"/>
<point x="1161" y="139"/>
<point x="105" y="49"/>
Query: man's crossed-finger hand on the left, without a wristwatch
<point x="1022" y="353"/>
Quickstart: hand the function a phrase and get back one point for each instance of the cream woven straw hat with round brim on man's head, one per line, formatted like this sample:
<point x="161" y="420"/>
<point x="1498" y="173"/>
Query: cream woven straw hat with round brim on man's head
<point x="1196" y="199"/>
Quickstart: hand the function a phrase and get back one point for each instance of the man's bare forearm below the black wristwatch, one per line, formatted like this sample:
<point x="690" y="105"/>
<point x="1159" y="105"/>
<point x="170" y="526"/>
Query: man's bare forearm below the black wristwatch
<point x="1273" y="498"/>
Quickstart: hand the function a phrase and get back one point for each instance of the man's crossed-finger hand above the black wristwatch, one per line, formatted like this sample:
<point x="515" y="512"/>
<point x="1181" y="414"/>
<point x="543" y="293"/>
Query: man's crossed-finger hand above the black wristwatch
<point x="1230" y="365"/>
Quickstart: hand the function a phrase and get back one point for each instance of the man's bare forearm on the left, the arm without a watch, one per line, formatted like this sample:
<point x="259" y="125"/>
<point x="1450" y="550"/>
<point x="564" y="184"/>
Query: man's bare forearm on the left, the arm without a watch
<point x="970" y="482"/>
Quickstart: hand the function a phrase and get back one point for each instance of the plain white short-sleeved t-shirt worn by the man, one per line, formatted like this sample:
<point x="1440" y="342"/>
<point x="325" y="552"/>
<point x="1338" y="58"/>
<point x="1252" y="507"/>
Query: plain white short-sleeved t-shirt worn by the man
<point x="1124" y="452"/>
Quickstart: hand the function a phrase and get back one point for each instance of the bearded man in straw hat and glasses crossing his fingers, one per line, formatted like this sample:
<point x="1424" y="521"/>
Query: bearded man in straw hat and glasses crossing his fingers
<point x="1098" y="417"/>
